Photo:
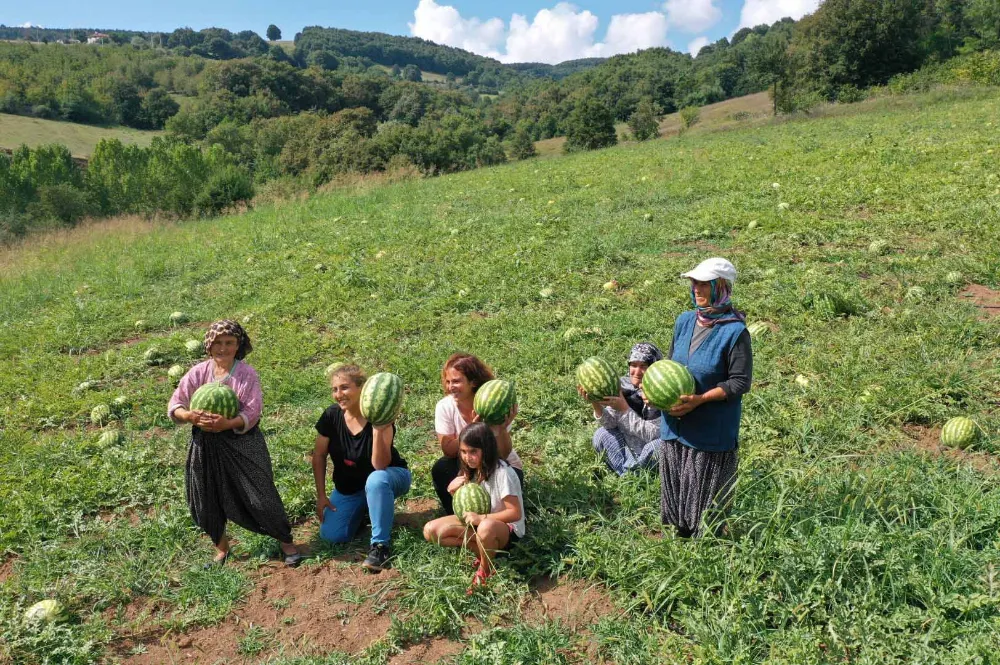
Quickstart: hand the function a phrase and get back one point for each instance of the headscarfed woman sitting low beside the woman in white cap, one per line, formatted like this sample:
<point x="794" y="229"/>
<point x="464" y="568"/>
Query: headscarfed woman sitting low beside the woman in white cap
<point x="629" y="435"/>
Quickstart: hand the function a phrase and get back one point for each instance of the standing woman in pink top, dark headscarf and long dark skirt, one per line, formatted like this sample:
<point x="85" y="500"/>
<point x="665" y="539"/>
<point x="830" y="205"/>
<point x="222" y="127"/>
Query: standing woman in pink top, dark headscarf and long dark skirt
<point x="228" y="474"/>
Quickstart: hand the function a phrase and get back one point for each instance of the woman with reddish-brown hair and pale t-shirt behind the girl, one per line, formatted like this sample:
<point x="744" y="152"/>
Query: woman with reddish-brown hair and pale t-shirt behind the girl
<point x="461" y="377"/>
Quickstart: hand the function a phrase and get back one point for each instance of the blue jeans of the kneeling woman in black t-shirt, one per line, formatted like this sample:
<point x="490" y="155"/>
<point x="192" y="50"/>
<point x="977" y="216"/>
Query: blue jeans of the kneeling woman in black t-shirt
<point x="381" y="490"/>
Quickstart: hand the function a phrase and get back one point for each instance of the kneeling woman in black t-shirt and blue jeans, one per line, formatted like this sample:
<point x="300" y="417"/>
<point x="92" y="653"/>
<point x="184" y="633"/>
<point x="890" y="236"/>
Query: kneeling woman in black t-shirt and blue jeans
<point x="368" y="473"/>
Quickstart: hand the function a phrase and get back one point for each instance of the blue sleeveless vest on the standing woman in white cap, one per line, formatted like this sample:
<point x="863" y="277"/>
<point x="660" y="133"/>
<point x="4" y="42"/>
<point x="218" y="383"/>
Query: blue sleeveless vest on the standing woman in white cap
<point x="713" y="426"/>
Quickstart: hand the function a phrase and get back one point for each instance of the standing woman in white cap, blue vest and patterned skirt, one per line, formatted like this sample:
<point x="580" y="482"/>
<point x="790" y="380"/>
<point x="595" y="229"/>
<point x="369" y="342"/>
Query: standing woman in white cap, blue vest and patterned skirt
<point x="698" y="458"/>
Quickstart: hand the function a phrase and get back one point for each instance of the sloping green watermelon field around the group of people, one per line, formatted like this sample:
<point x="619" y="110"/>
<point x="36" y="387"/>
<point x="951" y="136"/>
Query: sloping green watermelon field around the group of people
<point x="867" y="239"/>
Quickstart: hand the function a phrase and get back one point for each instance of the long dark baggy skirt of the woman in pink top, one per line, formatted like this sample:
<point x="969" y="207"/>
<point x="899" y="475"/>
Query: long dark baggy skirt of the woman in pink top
<point x="229" y="477"/>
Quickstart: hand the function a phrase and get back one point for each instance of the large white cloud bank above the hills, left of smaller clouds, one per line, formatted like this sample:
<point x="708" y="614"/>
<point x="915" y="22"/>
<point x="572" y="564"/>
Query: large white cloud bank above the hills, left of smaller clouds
<point x="553" y="35"/>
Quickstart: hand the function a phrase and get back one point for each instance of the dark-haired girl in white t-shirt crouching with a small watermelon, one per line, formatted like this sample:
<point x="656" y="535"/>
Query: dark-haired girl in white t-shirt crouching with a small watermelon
<point x="504" y="524"/>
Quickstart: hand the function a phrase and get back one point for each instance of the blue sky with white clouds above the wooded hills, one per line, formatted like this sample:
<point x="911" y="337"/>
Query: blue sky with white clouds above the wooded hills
<point x="517" y="30"/>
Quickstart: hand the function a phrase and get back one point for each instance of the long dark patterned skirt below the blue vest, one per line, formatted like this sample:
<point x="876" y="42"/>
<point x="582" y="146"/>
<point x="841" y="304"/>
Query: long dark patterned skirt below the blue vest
<point x="693" y="482"/>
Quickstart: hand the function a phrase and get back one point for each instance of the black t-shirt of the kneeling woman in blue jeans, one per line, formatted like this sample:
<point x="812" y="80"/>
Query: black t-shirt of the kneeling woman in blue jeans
<point x="351" y="453"/>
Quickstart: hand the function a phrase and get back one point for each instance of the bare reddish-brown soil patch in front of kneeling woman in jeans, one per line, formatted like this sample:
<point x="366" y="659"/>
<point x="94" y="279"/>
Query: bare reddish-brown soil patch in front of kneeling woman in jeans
<point x="305" y="611"/>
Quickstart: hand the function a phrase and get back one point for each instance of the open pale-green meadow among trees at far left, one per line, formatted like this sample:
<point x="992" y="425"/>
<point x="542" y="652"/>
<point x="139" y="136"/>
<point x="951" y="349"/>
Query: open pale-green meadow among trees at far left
<point x="16" y="130"/>
